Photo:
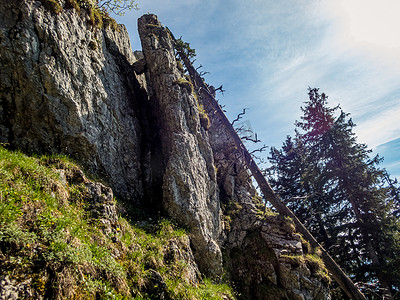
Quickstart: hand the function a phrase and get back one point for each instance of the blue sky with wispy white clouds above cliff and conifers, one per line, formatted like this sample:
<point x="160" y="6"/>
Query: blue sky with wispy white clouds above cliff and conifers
<point x="267" y="53"/>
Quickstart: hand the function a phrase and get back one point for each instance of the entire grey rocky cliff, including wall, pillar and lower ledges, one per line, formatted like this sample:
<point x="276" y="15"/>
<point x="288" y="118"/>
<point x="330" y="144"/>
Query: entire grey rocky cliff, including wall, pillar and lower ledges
<point x="137" y="121"/>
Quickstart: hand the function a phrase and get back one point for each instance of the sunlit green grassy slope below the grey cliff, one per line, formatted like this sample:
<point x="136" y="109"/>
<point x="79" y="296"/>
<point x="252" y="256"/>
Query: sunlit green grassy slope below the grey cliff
<point x="48" y="237"/>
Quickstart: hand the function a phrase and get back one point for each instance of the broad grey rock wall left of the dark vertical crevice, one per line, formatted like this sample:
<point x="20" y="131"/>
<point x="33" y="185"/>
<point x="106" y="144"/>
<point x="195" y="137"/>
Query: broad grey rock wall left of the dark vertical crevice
<point x="67" y="88"/>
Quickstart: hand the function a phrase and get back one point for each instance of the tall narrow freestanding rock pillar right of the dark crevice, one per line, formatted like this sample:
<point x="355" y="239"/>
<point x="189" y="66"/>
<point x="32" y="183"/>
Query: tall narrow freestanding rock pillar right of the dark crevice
<point x="189" y="184"/>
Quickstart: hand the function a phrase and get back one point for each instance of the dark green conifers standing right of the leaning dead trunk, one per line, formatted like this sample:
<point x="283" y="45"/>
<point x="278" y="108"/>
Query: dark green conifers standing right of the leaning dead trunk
<point x="340" y="193"/>
